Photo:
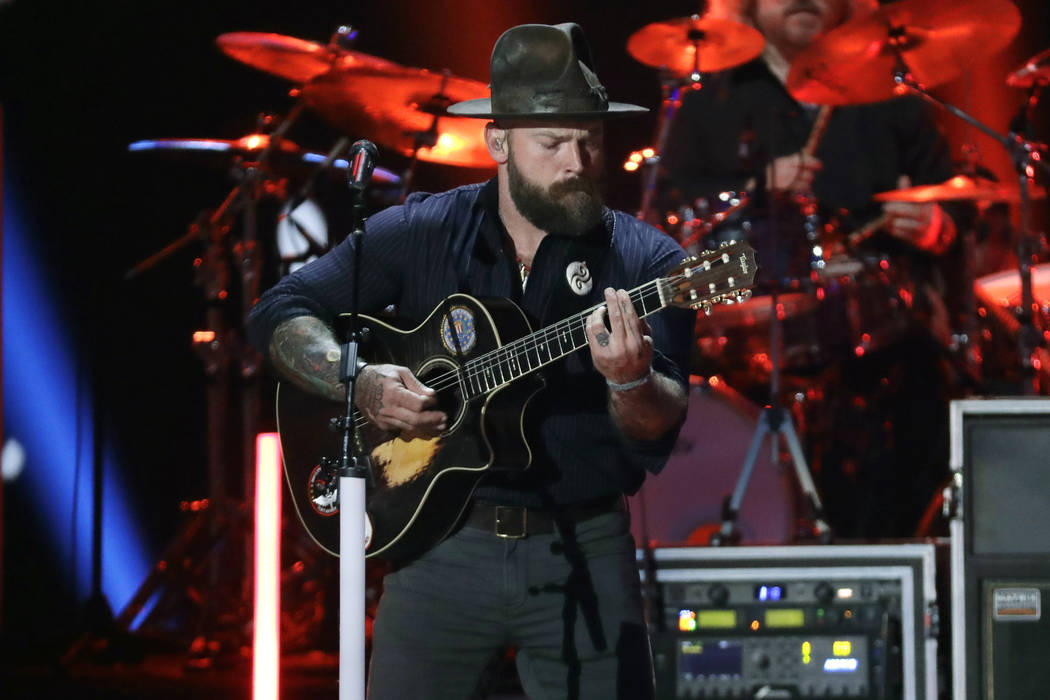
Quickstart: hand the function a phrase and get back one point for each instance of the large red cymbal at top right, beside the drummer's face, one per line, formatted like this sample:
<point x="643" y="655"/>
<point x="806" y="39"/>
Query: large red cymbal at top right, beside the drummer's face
<point x="938" y="39"/>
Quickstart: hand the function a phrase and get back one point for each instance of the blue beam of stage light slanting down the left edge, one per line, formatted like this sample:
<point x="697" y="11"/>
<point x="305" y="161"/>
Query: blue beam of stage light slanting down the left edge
<point x="45" y="411"/>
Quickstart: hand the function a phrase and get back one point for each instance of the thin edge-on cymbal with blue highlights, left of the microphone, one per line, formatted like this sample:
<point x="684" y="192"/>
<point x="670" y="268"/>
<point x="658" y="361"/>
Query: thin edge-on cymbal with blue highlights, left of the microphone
<point x="222" y="153"/>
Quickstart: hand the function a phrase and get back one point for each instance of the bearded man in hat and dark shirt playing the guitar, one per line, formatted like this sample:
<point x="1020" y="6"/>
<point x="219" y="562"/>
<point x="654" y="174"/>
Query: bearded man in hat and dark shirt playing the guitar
<point x="543" y="561"/>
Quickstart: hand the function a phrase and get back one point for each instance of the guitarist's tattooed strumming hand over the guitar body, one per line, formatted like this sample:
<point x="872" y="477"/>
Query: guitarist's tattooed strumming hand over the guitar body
<point x="394" y="400"/>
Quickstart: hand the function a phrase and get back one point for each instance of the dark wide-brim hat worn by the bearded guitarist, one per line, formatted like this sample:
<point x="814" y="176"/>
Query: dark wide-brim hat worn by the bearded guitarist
<point x="544" y="72"/>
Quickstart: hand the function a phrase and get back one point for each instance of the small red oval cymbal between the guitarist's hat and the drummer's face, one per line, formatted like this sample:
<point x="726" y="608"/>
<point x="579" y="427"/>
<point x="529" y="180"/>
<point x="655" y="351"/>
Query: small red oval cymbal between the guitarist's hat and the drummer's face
<point x="696" y="44"/>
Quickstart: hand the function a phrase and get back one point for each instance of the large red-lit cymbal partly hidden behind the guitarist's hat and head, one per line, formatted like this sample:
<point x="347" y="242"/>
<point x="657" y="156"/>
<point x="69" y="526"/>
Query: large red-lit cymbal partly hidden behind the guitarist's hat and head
<point x="398" y="107"/>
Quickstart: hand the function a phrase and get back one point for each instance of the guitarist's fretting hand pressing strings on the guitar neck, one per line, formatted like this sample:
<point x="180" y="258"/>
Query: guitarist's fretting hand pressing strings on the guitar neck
<point x="624" y="352"/>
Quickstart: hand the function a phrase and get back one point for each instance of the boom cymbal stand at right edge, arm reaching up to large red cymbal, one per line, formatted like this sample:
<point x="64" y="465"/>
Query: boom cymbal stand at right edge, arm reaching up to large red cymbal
<point x="1027" y="158"/>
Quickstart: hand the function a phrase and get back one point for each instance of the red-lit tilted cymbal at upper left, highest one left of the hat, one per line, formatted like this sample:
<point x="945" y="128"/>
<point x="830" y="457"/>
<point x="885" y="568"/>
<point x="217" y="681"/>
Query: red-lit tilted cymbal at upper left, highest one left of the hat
<point x="295" y="59"/>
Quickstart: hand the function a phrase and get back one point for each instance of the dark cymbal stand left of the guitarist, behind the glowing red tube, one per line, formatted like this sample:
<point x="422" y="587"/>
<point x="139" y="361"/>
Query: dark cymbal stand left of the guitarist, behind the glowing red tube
<point x="219" y="518"/>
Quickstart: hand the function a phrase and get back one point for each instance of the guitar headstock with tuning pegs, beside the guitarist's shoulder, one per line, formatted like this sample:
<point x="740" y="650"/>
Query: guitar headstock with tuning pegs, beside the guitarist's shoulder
<point x="721" y="277"/>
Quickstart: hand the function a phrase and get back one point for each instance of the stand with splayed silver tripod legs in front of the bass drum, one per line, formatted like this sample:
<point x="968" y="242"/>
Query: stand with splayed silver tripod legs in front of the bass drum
<point x="774" y="421"/>
